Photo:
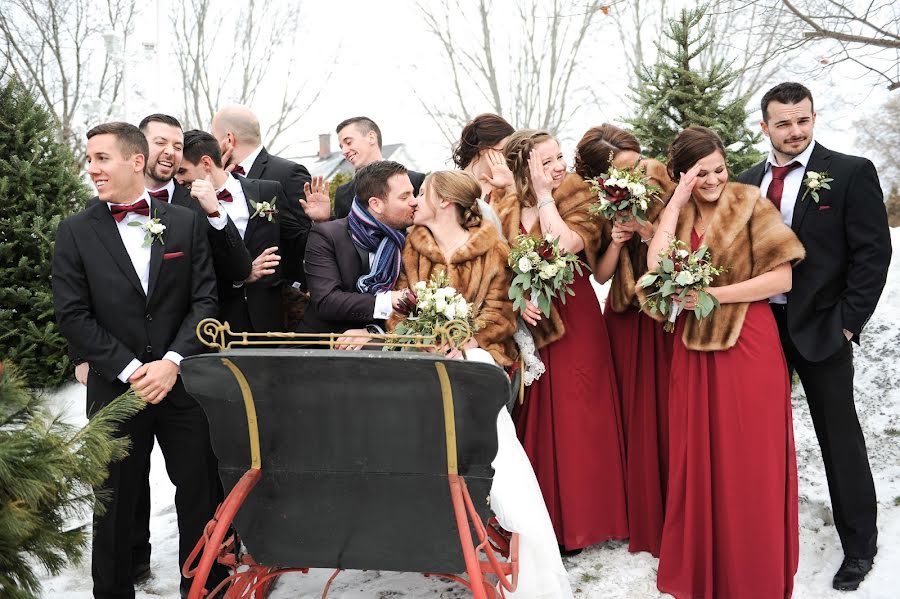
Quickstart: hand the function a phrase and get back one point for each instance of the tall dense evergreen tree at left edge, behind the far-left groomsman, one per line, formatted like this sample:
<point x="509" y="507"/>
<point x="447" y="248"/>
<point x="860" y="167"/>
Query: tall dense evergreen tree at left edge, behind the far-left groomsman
<point x="38" y="188"/>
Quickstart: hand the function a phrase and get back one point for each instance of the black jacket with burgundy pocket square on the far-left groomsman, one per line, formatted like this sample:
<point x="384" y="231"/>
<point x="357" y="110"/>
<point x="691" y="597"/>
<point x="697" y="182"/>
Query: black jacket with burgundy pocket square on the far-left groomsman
<point x="102" y="310"/>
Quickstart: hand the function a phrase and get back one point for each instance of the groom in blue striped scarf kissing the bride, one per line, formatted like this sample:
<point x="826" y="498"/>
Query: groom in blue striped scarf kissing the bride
<point x="352" y="263"/>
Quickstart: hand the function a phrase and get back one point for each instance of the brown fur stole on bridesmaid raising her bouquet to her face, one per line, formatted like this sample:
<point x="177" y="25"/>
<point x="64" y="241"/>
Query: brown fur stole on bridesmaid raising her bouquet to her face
<point x="633" y="256"/>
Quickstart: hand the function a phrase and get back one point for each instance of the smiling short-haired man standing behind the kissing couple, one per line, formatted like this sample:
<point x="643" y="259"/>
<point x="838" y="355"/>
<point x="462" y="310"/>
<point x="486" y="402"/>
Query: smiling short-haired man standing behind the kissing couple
<point x="360" y="141"/>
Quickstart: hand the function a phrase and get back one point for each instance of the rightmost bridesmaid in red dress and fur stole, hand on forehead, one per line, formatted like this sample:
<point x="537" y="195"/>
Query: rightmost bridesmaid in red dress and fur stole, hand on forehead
<point x="731" y="525"/>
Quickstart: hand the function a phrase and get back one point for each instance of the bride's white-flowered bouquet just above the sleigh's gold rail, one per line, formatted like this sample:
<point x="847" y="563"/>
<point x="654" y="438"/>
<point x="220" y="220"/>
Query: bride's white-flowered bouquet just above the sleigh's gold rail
<point x="435" y="305"/>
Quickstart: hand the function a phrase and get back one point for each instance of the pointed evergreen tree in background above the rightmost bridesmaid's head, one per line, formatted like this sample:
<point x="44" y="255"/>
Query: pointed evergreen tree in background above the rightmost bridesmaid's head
<point x="673" y="95"/>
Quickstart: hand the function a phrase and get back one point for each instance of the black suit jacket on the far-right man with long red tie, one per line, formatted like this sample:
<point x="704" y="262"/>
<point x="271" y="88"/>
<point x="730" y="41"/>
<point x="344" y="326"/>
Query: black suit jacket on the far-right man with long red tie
<point x="848" y="251"/>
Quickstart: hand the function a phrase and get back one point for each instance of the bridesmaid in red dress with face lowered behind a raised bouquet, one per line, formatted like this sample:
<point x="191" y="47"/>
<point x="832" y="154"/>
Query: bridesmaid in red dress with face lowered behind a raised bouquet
<point x="641" y="350"/>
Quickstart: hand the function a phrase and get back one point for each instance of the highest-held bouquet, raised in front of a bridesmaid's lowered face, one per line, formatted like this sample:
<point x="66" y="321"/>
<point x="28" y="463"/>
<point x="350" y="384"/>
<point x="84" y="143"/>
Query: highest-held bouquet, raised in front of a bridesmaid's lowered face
<point x="620" y="190"/>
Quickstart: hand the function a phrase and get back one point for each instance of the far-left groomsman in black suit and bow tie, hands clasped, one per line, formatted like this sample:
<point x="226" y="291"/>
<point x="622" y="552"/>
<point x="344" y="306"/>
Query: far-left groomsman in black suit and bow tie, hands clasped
<point x="129" y="304"/>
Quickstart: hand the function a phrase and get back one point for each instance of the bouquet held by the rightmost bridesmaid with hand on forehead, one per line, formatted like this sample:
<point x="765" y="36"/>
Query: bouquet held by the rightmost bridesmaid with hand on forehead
<point x="680" y="271"/>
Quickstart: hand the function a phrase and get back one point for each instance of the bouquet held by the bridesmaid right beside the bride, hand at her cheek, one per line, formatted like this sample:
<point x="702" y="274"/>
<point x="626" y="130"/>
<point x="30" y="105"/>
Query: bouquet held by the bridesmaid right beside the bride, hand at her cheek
<point x="543" y="271"/>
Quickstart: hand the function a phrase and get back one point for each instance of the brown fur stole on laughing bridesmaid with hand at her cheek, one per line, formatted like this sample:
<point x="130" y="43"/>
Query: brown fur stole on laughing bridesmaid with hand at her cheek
<point x="572" y="198"/>
